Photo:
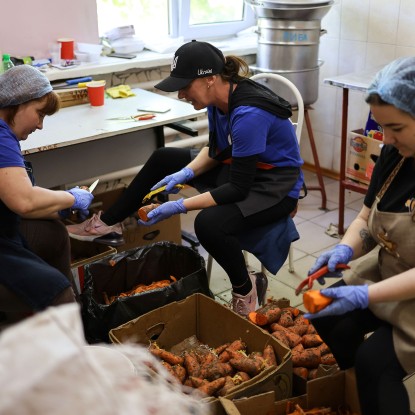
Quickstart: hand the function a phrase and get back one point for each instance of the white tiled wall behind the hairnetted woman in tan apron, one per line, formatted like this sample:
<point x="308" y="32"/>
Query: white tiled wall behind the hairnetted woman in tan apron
<point x="361" y="35"/>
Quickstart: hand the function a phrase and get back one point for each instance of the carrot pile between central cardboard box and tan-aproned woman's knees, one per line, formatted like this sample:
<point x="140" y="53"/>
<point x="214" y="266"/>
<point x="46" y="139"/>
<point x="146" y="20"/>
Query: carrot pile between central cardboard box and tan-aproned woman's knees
<point x="289" y="326"/>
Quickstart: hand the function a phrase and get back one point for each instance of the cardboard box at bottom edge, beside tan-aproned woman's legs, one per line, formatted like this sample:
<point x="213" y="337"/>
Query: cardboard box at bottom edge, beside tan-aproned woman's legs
<point x="336" y="390"/>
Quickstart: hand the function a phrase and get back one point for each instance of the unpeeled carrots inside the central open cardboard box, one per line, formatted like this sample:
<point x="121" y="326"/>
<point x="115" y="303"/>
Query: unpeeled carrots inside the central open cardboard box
<point x="214" y="372"/>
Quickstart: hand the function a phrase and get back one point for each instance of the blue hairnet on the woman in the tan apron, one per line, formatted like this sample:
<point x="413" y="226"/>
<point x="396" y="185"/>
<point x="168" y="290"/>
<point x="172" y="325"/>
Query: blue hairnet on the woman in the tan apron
<point x="395" y="84"/>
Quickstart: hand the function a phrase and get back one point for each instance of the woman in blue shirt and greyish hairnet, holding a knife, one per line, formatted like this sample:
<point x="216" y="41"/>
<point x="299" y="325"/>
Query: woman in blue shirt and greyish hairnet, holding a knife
<point x="27" y="212"/>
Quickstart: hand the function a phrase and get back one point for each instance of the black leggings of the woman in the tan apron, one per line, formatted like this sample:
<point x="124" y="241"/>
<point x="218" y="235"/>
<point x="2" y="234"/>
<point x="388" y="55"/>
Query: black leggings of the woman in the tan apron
<point x="378" y="371"/>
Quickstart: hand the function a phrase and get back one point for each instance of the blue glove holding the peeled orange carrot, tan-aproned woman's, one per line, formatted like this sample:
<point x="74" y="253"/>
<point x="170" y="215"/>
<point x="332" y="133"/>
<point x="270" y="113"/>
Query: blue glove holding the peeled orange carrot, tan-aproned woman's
<point x="347" y="298"/>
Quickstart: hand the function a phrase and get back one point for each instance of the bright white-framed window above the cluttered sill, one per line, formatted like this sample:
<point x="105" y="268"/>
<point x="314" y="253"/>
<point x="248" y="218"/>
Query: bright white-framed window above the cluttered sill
<point x="187" y="18"/>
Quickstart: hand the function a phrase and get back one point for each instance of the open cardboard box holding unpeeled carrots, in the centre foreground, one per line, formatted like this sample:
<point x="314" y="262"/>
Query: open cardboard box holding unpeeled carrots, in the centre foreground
<point x="213" y="324"/>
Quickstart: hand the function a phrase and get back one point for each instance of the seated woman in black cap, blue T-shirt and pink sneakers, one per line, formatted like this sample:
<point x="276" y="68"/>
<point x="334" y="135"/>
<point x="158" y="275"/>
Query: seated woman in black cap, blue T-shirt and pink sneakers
<point x="248" y="176"/>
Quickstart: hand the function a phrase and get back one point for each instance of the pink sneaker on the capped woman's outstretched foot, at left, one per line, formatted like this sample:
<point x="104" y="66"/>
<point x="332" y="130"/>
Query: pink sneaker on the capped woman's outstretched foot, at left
<point x="94" y="229"/>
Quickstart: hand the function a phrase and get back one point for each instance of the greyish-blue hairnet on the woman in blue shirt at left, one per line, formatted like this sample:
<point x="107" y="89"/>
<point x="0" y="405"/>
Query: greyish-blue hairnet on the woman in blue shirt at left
<point x="22" y="83"/>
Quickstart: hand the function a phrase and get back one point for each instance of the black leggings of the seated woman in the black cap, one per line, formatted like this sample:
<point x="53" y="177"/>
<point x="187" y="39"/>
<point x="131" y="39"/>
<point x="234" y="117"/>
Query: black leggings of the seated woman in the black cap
<point x="215" y="227"/>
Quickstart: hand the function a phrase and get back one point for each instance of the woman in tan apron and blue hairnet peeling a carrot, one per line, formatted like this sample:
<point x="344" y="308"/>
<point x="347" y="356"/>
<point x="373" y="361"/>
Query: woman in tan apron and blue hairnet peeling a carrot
<point x="370" y="323"/>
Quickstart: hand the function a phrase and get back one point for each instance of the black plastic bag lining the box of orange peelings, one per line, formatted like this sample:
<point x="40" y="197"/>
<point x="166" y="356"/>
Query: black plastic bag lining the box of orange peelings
<point x="121" y="272"/>
